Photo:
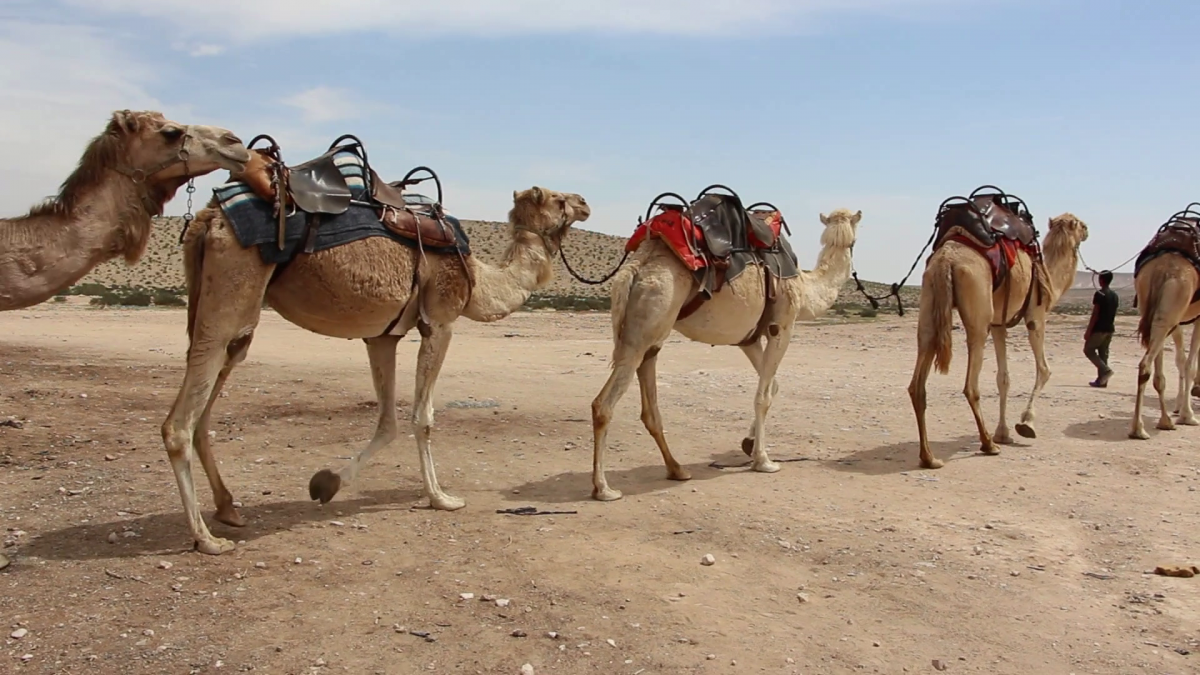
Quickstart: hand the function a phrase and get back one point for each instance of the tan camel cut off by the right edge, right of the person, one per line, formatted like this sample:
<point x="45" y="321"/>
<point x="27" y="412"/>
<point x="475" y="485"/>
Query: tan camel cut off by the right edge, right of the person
<point x="1166" y="286"/>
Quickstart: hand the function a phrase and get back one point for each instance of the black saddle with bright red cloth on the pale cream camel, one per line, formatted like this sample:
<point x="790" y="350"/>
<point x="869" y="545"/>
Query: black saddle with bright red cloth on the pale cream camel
<point x="717" y="238"/>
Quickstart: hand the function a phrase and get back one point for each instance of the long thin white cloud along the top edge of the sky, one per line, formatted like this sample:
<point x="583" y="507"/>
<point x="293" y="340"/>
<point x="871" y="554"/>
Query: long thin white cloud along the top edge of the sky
<point x="274" y="19"/>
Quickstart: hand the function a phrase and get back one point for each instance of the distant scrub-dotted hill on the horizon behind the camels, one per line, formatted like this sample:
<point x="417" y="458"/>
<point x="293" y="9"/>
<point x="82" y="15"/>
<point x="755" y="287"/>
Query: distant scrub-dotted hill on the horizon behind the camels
<point x="592" y="254"/>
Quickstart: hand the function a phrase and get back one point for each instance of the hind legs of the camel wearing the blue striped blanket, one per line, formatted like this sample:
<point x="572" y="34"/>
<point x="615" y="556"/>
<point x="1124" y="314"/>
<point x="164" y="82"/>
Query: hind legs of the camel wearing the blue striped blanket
<point x="227" y="309"/>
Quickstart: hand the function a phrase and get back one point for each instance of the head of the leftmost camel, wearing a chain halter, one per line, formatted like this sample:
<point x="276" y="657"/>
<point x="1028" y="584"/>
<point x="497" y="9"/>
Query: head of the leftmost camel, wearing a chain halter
<point x="165" y="152"/>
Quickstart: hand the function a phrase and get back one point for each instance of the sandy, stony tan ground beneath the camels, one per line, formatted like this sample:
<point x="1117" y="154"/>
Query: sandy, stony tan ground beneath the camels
<point x="850" y="560"/>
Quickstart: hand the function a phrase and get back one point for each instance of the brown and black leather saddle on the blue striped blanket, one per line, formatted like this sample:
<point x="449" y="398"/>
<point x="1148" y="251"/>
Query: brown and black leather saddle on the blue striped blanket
<point x="319" y="188"/>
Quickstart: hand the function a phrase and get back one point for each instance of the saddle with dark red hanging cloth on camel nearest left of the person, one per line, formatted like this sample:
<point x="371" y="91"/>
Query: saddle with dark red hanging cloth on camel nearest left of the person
<point x="995" y="225"/>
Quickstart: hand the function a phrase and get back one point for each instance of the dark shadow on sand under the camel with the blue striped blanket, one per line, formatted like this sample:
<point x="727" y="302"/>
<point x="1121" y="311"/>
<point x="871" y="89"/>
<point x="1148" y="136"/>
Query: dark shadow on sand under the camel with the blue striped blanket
<point x="164" y="534"/>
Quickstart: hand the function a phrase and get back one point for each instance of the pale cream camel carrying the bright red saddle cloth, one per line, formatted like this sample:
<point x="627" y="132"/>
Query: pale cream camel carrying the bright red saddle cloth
<point x="647" y="296"/>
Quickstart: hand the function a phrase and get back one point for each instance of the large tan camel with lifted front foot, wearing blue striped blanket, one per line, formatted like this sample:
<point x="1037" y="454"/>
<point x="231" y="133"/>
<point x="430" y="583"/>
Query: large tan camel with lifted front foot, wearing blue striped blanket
<point x="353" y="291"/>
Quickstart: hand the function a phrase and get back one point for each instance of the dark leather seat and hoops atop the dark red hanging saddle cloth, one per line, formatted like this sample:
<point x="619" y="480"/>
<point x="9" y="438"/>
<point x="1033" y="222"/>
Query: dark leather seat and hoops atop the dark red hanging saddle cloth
<point x="988" y="217"/>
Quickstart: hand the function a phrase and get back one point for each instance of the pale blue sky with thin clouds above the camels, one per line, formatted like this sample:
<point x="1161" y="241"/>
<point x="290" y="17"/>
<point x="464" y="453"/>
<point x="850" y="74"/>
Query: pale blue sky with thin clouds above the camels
<point x="886" y="106"/>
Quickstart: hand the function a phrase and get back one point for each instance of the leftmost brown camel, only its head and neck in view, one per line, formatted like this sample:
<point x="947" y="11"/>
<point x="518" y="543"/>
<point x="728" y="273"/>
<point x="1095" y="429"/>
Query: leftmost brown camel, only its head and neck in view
<point x="105" y="208"/>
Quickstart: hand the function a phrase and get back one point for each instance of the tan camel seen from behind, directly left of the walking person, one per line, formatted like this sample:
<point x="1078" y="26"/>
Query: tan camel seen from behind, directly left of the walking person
<point x="957" y="277"/>
